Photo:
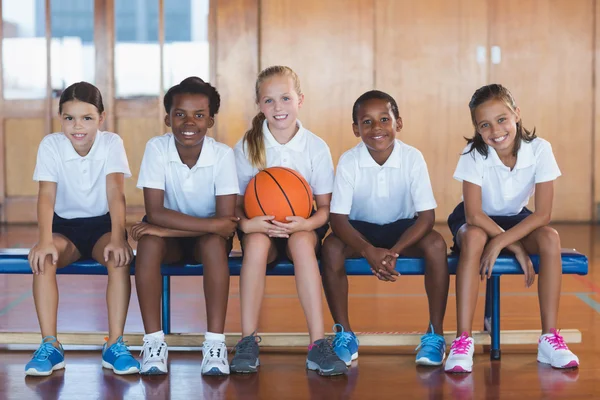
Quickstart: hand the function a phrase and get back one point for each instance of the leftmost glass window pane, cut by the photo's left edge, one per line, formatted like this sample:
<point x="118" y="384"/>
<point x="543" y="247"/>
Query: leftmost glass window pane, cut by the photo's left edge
<point x="24" y="49"/>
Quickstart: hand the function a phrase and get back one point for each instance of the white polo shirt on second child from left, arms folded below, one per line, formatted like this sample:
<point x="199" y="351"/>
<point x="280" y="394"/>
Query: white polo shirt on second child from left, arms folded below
<point x="189" y="191"/>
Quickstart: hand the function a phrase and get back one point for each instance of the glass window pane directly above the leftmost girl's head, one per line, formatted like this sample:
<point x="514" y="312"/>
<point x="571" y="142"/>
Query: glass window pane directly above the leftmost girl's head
<point x="72" y="48"/>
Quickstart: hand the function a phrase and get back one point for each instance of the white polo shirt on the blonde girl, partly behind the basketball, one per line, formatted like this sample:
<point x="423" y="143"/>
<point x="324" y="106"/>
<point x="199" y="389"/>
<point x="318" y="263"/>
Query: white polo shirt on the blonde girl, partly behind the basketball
<point x="306" y="153"/>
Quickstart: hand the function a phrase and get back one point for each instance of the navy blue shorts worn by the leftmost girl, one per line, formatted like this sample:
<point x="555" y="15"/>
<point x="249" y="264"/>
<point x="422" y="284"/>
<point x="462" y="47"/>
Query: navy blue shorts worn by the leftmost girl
<point x="82" y="232"/>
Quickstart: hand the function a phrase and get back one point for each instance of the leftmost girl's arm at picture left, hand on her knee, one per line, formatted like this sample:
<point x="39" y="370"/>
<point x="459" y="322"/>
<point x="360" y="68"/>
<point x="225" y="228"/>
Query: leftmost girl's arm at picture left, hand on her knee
<point x="45" y="246"/>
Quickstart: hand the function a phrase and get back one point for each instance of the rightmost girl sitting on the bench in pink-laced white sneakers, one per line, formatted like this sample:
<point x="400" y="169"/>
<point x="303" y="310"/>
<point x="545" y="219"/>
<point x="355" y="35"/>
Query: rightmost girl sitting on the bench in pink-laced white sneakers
<point x="501" y="167"/>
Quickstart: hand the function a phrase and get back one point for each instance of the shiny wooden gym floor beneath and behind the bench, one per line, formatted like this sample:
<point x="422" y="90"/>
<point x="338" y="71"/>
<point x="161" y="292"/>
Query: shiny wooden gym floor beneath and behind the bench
<point x="380" y="373"/>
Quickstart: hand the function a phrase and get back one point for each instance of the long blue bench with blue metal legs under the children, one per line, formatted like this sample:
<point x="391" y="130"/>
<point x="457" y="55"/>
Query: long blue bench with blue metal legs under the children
<point x="14" y="261"/>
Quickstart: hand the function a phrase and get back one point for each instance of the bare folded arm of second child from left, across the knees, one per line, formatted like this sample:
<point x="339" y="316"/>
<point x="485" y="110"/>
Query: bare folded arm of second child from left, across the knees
<point x="161" y="216"/>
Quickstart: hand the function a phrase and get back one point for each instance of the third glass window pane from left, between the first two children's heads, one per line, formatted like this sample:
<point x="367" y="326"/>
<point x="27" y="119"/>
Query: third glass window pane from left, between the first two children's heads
<point x="137" y="52"/>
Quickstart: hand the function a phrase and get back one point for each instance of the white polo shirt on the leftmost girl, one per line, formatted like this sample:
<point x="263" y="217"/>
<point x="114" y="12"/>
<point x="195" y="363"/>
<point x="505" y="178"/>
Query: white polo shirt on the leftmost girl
<point x="80" y="181"/>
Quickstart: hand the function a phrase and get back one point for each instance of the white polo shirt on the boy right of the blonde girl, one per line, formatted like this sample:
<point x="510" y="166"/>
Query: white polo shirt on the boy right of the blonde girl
<point x="382" y="194"/>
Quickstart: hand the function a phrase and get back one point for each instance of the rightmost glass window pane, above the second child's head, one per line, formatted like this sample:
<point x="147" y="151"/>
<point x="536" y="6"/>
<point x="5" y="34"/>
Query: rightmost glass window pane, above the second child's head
<point x="186" y="51"/>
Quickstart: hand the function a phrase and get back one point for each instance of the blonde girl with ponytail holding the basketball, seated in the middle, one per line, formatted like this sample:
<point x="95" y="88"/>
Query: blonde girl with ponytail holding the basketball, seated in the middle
<point x="277" y="138"/>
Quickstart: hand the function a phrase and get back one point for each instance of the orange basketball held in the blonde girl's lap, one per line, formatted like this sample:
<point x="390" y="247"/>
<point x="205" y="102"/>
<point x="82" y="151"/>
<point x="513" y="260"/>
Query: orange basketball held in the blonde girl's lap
<point x="278" y="191"/>
